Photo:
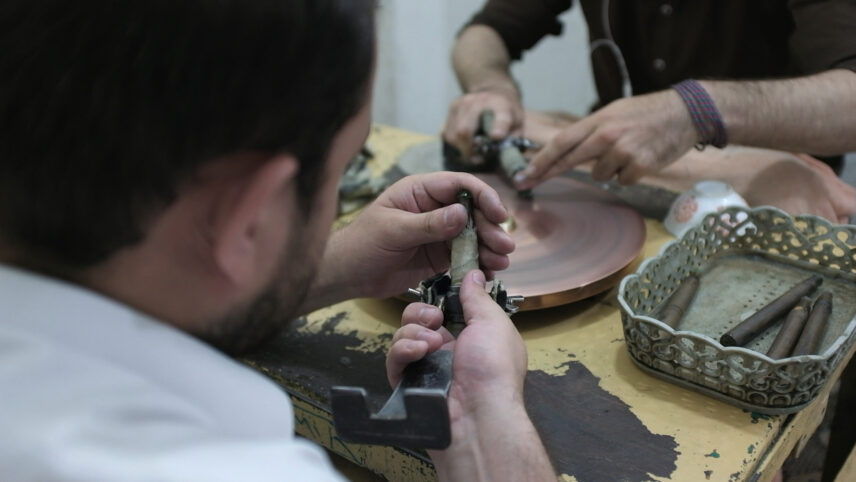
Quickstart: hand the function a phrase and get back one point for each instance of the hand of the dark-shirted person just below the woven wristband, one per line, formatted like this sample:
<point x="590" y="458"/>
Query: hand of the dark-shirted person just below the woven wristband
<point x="629" y="138"/>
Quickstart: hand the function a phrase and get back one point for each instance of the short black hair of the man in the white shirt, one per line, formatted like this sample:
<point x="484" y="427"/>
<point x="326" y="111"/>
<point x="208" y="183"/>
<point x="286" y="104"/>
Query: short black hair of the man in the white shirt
<point x="106" y="105"/>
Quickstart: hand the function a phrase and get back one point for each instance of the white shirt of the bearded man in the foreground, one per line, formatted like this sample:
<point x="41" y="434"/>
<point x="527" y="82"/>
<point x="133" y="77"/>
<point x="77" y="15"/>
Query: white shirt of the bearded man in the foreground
<point x="93" y="390"/>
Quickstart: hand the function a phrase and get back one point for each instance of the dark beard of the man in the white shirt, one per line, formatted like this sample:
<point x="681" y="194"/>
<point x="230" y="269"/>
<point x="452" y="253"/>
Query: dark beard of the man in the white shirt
<point x="251" y="325"/>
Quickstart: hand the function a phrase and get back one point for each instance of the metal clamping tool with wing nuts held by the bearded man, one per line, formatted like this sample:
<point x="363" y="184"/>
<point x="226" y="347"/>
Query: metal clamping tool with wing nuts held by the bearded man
<point x="416" y="415"/>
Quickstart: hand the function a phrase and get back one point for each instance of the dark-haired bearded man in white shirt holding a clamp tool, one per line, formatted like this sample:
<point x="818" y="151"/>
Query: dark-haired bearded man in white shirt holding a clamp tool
<point x="168" y="173"/>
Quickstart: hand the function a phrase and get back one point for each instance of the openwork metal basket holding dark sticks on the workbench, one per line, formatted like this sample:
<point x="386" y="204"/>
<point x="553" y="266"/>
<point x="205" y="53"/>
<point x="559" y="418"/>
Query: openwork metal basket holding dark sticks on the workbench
<point x="745" y="258"/>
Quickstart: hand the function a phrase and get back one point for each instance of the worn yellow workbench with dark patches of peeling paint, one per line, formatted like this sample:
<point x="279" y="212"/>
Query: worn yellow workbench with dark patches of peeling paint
<point x="601" y="418"/>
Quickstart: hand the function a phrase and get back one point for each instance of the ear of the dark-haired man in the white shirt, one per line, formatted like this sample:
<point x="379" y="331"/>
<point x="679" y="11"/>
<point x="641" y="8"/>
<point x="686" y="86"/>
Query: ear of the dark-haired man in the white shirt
<point x="242" y="222"/>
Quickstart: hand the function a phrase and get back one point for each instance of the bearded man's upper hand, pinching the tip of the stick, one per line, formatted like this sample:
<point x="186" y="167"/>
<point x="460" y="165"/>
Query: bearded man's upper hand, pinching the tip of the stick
<point x="402" y="238"/>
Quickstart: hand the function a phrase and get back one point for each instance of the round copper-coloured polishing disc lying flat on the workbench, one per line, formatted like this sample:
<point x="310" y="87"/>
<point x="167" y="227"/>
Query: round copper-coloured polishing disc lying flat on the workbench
<point x="573" y="241"/>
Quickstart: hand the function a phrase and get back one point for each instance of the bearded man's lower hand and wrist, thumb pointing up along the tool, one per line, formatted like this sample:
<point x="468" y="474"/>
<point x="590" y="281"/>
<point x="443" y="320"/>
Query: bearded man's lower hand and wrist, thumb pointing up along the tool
<point x="488" y="370"/>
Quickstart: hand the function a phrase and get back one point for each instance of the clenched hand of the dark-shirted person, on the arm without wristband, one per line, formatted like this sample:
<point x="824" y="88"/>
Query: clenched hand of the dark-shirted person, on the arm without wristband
<point x="462" y="121"/>
